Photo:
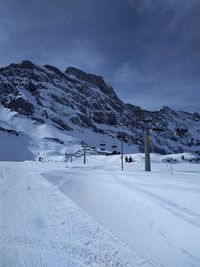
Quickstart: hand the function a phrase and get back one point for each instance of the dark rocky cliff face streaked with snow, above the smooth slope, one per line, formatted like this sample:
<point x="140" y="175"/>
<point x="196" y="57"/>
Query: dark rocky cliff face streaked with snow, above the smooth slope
<point x="85" y="106"/>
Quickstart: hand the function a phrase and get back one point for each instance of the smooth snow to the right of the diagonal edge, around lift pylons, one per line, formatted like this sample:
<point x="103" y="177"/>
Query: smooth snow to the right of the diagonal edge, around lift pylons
<point x="157" y="214"/>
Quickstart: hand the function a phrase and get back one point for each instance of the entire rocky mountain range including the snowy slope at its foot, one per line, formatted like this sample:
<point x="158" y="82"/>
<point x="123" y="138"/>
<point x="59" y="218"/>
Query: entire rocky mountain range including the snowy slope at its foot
<point x="47" y="112"/>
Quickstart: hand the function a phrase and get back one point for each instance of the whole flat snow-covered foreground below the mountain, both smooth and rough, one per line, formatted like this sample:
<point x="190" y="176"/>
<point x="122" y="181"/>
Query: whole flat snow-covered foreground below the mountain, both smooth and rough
<point x="58" y="214"/>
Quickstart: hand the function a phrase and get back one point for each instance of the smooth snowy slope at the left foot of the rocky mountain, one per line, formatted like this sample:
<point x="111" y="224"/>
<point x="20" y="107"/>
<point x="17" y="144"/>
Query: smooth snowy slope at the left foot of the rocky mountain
<point x="24" y="139"/>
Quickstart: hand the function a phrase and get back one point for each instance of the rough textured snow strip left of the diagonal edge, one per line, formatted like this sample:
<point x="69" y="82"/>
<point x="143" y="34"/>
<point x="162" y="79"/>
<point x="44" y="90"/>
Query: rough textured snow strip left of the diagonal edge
<point x="40" y="226"/>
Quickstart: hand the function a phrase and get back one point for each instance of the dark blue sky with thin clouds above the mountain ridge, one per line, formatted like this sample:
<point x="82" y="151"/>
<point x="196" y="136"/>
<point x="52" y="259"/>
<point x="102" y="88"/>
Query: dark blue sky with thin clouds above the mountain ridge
<point x="148" y="50"/>
